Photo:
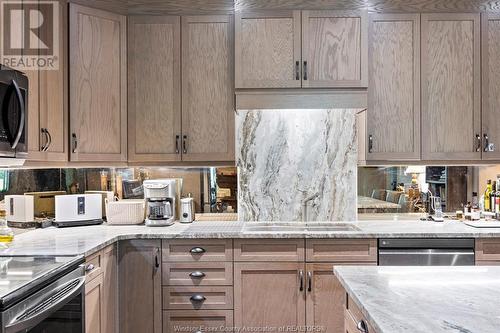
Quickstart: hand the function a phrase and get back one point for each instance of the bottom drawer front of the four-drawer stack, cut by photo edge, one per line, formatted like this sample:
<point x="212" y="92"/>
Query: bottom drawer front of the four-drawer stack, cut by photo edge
<point x="197" y="320"/>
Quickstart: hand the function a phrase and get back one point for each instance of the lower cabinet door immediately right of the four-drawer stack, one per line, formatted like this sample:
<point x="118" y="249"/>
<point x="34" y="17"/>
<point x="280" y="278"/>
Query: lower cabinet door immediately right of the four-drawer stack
<point x="269" y="295"/>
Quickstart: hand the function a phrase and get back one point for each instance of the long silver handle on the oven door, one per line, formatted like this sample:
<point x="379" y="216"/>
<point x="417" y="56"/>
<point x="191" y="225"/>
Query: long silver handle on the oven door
<point x="19" y="324"/>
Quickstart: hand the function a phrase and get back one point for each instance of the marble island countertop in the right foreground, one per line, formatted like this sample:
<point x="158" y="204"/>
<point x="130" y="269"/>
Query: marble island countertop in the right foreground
<point x="426" y="299"/>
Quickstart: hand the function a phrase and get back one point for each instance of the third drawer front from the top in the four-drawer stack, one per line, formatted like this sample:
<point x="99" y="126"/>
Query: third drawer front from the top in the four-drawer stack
<point x="198" y="298"/>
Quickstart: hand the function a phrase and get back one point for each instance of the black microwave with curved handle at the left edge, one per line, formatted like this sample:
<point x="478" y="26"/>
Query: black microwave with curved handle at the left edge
<point x="14" y="113"/>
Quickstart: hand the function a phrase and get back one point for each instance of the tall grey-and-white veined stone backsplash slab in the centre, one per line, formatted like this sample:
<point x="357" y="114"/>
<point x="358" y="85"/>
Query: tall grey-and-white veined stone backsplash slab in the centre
<point x="285" y="156"/>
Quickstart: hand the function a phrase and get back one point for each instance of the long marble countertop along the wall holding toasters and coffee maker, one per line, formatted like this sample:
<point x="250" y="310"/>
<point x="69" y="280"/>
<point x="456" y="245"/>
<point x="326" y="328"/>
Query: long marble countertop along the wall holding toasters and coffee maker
<point x="87" y="240"/>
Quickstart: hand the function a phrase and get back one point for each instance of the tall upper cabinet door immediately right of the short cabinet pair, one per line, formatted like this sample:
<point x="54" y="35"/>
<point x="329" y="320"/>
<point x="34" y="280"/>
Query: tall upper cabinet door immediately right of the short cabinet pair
<point x="393" y="126"/>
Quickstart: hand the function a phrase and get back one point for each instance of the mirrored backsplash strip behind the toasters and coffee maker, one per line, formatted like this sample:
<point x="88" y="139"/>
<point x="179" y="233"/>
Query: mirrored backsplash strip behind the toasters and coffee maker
<point x="214" y="189"/>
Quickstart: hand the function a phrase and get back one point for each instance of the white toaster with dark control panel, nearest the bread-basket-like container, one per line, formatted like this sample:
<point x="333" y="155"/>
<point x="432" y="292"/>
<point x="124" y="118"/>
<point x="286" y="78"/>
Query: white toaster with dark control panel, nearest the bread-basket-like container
<point x="78" y="209"/>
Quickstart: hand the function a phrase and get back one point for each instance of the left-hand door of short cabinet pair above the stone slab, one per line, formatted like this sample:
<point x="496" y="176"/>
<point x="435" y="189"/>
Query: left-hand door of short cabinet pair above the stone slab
<point x="267" y="48"/>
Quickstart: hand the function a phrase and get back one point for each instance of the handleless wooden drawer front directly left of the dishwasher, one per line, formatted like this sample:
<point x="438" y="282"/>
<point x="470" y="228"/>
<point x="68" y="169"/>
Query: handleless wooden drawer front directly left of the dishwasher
<point x="341" y="250"/>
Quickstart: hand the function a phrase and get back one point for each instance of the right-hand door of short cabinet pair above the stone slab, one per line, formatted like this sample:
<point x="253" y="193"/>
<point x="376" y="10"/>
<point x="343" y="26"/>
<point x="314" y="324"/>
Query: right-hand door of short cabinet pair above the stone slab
<point x="334" y="48"/>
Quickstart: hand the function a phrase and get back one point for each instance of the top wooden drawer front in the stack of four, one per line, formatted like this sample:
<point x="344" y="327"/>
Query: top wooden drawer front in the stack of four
<point x="197" y="250"/>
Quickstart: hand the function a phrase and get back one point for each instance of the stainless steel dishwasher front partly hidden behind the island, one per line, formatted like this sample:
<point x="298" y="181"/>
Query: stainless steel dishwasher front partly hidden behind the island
<point x="426" y="252"/>
